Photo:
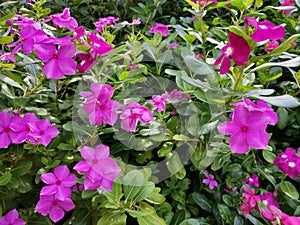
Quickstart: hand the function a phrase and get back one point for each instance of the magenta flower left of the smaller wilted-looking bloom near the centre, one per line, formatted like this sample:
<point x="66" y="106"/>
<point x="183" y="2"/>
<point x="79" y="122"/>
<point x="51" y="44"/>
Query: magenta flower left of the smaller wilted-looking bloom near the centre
<point x="98" y="105"/>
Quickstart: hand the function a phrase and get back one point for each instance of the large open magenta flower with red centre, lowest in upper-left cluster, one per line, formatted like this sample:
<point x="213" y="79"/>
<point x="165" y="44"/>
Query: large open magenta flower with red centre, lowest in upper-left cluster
<point x="59" y="62"/>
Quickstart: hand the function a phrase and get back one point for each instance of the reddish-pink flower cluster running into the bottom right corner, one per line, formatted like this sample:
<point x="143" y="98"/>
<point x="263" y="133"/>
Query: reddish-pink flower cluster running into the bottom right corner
<point x="269" y="207"/>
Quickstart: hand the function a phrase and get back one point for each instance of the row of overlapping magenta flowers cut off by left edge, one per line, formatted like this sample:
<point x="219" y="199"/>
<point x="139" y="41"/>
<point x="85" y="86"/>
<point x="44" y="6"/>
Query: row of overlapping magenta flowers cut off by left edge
<point x="17" y="129"/>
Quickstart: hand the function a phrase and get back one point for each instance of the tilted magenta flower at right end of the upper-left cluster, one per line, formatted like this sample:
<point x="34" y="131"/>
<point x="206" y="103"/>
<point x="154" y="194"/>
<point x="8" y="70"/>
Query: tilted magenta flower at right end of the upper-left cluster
<point x="99" y="46"/>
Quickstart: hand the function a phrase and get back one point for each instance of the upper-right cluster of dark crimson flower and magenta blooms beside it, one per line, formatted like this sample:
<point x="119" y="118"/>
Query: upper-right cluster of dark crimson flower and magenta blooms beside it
<point x="239" y="50"/>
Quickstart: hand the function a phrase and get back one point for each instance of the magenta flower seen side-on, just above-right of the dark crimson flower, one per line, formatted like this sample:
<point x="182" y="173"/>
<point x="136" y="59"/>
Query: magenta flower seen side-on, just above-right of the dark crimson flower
<point x="265" y="30"/>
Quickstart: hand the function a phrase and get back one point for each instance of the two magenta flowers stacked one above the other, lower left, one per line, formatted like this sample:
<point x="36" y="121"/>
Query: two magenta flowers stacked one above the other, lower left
<point x="56" y="196"/>
